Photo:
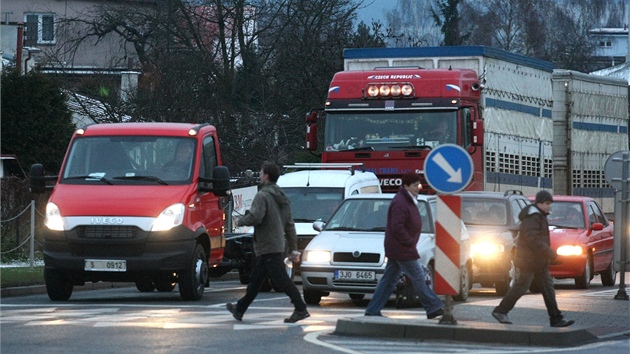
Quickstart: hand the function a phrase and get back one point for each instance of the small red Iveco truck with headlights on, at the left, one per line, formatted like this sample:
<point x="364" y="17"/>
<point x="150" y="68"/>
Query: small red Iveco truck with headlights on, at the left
<point x="137" y="202"/>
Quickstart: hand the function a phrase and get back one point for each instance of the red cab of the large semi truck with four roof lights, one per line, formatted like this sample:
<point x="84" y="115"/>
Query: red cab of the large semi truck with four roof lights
<point x="390" y="118"/>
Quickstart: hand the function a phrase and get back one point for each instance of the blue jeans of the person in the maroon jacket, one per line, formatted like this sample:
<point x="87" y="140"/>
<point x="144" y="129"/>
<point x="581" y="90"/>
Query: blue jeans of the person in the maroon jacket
<point x="430" y="301"/>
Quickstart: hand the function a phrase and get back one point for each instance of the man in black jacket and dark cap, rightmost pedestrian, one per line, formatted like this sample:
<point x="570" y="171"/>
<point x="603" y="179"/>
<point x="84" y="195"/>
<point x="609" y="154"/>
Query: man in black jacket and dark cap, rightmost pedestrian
<point x="533" y="254"/>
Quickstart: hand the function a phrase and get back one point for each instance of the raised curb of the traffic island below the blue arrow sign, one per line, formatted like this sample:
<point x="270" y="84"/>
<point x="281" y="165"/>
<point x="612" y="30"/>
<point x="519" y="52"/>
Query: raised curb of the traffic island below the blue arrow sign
<point x="480" y="332"/>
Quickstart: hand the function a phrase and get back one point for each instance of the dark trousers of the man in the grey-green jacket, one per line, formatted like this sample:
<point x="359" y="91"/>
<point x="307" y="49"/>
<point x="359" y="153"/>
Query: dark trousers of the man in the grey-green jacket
<point x="271" y="265"/>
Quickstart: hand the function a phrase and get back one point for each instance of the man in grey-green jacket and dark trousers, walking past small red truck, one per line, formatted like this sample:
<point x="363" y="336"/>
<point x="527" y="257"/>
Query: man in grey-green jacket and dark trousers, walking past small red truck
<point x="270" y="214"/>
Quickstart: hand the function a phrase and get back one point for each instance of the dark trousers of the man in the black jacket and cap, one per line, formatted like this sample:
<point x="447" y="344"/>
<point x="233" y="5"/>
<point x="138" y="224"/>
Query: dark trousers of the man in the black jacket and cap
<point x="524" y="279"/>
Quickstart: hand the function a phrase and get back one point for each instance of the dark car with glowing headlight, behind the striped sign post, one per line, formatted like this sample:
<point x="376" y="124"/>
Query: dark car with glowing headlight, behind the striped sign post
<point x="492" y="221"/>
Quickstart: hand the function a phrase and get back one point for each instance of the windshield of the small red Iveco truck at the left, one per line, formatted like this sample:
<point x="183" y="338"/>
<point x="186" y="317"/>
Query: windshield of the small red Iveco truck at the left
<point x="130" y="160"/>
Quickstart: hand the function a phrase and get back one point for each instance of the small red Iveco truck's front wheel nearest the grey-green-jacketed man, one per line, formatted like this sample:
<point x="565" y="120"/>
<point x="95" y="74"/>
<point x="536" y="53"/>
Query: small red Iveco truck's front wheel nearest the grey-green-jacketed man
<point x="192" y="281"/>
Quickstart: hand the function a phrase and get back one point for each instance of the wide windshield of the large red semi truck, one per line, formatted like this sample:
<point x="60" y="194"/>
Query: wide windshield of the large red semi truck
<point x="389" y="130"/>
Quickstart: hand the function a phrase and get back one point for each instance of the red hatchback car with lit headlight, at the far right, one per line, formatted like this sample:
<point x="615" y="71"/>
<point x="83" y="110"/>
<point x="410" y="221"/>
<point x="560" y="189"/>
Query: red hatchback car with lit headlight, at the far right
<point x="583" y="238"/>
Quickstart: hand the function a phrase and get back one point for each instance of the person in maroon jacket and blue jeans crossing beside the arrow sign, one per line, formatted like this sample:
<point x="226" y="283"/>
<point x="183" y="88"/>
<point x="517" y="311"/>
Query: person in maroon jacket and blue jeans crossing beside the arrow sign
<point x="402" y="233"/>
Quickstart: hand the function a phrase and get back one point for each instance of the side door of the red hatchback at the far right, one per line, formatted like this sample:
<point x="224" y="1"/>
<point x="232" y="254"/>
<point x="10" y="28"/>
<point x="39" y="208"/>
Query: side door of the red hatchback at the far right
<point x="600" y="241"/>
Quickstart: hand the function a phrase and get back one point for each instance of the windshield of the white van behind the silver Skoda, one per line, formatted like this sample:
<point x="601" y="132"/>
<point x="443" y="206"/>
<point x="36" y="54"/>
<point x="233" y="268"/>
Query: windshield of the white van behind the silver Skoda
<point x="309" y="204"/>
